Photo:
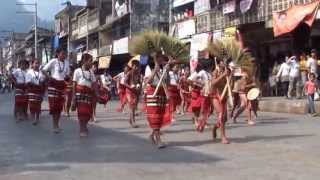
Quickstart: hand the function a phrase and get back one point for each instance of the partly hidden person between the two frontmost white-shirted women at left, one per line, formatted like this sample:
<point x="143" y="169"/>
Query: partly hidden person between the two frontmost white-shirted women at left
<point x="68" y="92"/>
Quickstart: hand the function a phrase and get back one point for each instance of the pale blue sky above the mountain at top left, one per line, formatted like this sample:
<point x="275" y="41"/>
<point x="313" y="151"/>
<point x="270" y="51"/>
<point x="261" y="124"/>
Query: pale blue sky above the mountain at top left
<point x="48" y="8"/>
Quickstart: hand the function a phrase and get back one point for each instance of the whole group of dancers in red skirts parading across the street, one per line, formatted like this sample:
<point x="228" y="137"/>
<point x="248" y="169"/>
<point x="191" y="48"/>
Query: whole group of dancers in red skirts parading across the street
<point x="167" y="89"/>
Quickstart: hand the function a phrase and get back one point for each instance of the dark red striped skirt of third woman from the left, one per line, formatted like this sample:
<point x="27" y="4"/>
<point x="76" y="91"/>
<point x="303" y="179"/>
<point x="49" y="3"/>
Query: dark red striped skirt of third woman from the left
<point x="56" y="96"/>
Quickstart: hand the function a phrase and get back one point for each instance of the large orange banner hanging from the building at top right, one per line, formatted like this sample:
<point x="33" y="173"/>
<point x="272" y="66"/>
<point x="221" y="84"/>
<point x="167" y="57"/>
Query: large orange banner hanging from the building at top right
<point x="286" y="21"/>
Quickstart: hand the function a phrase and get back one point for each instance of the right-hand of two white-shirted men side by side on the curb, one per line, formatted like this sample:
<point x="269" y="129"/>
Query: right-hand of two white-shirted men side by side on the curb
<point x="294" y="77"/>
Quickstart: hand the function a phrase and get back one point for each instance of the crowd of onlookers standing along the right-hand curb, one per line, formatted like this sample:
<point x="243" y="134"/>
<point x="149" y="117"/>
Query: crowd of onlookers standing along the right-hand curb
<point x="297" y="76"/>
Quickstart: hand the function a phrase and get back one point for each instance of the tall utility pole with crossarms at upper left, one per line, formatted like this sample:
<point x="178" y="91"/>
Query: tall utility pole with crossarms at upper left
<point x="35" y="13"/>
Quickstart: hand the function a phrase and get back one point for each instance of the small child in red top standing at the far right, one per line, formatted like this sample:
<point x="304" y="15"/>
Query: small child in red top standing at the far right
<point x="311" y="87"/>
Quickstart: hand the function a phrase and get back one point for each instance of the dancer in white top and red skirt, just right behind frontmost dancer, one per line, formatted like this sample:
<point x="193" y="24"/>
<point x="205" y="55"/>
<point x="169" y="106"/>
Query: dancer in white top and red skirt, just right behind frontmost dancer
<point x="173" y="89"/>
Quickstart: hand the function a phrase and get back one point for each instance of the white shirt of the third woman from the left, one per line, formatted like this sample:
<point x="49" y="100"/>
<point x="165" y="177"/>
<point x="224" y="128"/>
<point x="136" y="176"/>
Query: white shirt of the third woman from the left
<point x="58" y="69"/>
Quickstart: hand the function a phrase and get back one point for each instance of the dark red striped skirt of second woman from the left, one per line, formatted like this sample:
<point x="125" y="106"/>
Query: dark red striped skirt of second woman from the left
<point x="35" y="96"/>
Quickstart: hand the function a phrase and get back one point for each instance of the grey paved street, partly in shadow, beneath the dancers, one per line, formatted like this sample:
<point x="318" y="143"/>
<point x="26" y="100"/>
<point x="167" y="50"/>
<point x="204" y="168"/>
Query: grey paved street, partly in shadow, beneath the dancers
<point x="281" y="146"/>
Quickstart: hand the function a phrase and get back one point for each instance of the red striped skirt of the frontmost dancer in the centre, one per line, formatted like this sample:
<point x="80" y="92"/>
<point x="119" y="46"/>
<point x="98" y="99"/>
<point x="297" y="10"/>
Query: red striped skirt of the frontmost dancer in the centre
<point x="158" y="110"/>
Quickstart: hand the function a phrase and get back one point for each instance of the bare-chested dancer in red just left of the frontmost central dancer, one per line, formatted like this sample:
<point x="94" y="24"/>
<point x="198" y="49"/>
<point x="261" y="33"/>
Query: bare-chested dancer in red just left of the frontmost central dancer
<point x="132" y="83"/>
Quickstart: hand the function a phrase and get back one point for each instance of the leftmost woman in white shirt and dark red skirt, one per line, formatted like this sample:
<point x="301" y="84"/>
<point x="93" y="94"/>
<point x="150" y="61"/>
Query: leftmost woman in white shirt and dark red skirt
<point x="18" y="78"/>
